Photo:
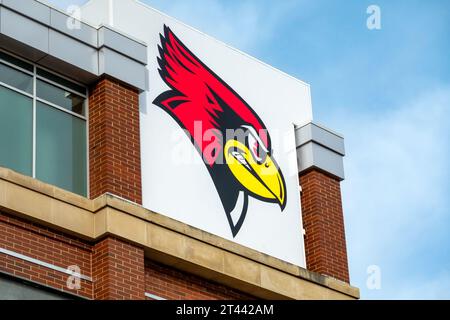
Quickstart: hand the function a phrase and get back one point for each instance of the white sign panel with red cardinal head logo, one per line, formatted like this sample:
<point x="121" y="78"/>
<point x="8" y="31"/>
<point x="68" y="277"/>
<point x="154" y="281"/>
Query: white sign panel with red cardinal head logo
<point x="217" y="135"/>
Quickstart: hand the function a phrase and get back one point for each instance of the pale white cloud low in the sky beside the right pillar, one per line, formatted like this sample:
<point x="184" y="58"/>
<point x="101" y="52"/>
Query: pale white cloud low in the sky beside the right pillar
<point x="395" y="196"/>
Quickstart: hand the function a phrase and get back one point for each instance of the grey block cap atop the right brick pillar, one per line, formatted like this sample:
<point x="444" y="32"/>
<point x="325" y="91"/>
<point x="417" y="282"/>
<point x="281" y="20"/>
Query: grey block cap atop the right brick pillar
<point x="318" y="147"/>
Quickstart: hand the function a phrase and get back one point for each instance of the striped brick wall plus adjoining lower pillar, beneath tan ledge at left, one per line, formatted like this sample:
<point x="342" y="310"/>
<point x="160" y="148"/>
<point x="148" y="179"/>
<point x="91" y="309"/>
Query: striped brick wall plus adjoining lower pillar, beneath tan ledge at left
<point x="116" y="267"/>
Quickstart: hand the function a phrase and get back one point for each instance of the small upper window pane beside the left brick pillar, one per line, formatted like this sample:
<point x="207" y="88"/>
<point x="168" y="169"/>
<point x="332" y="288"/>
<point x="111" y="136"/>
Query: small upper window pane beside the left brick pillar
<point x="60" y="97"/>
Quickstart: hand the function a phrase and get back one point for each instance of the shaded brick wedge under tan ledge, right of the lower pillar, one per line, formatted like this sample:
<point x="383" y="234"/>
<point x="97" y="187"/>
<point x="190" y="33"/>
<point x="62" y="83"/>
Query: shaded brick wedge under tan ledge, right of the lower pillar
<point x="172" y="284"/>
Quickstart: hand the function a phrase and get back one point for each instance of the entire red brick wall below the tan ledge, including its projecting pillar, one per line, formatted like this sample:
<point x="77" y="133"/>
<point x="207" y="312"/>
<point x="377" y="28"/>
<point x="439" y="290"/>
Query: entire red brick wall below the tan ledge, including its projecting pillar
<point x="116" y="267"/>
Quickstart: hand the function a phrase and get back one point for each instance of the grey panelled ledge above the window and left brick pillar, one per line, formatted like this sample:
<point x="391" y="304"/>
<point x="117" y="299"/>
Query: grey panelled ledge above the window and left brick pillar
<point x="40" y="33"/>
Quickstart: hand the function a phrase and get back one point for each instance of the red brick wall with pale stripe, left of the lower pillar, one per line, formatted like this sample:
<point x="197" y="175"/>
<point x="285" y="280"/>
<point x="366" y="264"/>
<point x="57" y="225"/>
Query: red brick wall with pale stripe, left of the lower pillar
<point x="45" y="245"/>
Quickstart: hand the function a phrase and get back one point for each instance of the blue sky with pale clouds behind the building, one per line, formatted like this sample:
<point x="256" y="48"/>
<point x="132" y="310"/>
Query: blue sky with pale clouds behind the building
<point x="388" y="92"/>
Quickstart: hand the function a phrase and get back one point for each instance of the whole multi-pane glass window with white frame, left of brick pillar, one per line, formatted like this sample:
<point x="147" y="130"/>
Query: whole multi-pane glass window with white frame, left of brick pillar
<point x="50" y="120"/>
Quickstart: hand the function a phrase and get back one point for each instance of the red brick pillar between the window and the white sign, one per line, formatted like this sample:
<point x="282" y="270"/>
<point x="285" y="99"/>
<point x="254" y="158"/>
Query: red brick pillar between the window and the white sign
<point x="114" y="143"/>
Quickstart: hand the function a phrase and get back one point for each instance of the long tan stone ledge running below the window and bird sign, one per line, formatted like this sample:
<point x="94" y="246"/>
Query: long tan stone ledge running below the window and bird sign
<point x="165" y="240"/>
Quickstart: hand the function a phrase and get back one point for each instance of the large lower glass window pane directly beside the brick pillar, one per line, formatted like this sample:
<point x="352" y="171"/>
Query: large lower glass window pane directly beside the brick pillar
<point x="61" y="149"/>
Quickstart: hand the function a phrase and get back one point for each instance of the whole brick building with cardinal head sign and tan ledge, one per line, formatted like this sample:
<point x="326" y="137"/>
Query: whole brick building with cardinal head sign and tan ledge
<point x="91" y="205"/>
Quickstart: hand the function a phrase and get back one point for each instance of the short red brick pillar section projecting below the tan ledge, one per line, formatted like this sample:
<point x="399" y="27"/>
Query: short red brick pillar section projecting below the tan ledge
<point x="118" y="271"/>
